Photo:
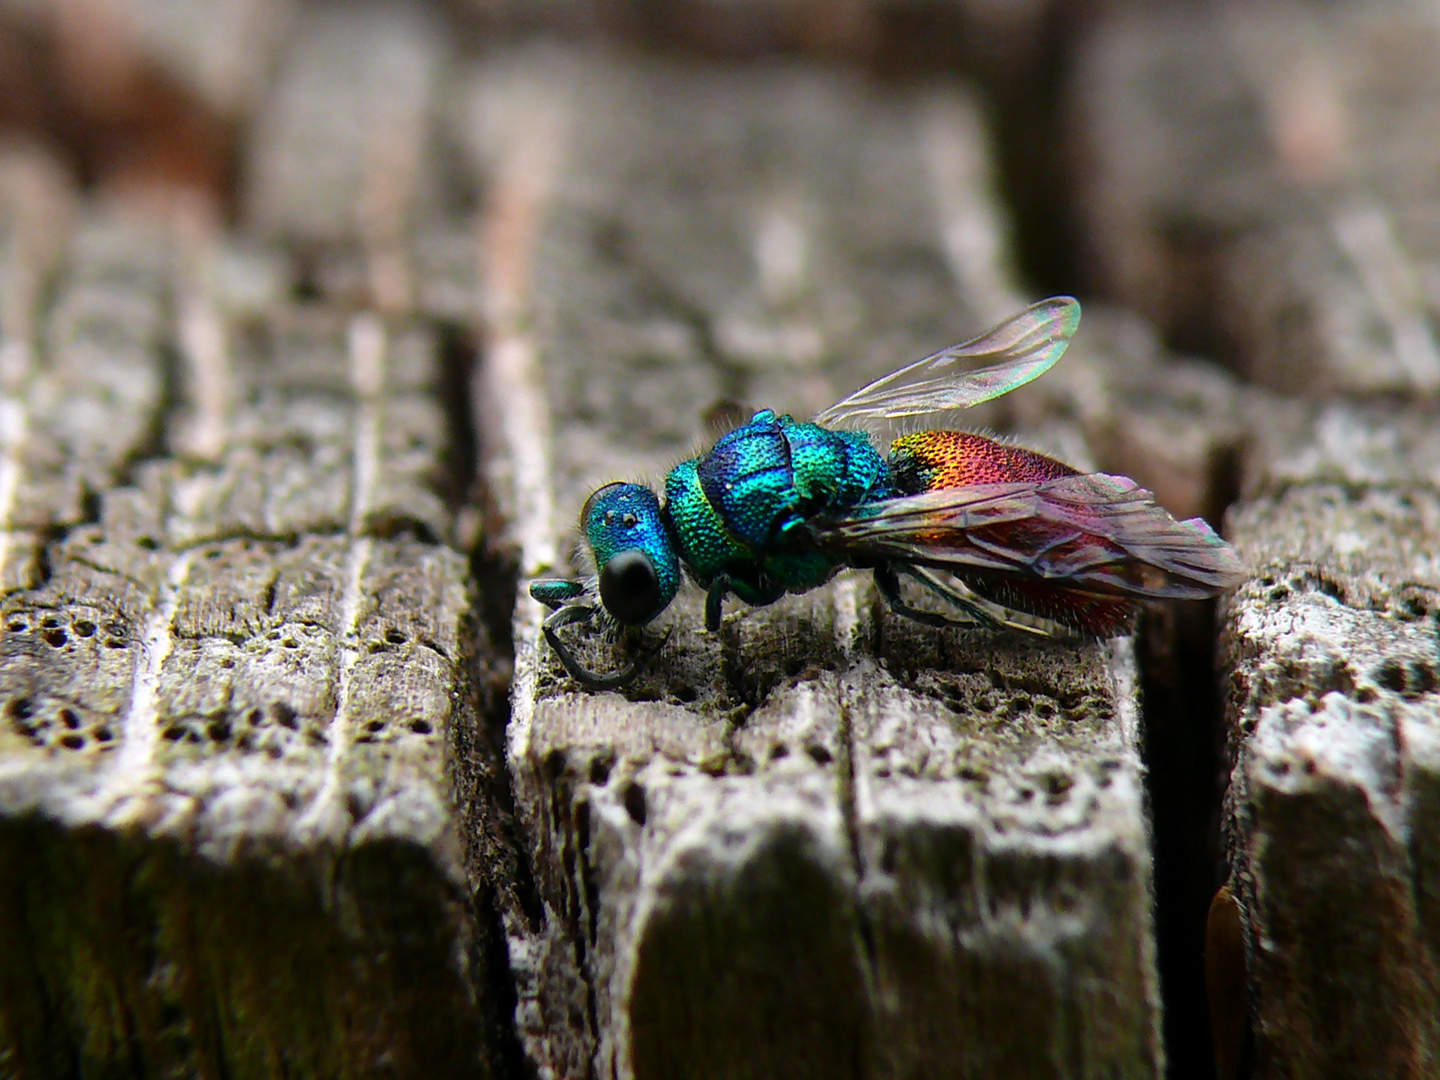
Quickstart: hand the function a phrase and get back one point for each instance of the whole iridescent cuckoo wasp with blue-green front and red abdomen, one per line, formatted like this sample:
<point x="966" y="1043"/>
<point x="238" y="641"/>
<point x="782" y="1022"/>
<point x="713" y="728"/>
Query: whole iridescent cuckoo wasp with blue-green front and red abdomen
<point x="1004" y="536"/>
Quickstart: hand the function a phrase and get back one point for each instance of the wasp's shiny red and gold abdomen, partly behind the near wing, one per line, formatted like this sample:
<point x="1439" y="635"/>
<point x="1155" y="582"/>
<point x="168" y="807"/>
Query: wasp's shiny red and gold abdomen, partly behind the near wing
<point x="932" y="460"/>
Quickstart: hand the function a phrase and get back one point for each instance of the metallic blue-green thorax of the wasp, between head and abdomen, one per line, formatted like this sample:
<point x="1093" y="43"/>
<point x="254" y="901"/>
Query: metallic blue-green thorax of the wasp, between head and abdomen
<point x="741" y="510"/>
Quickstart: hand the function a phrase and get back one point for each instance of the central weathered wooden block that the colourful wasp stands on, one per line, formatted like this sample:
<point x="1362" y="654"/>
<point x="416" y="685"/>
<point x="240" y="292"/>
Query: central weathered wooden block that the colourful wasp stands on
<point x="801" y="846"/>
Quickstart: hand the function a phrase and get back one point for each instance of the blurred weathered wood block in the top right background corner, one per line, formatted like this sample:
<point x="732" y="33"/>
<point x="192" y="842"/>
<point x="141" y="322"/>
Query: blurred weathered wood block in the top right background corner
<point x="1258" y="181"/>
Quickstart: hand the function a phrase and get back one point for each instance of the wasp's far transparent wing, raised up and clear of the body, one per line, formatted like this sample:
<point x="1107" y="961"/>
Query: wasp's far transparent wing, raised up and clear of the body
<point x="1017" y="351"/>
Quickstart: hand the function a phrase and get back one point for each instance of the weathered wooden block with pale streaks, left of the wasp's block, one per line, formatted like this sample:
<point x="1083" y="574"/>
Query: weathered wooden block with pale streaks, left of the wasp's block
<point x="241" y="701"/>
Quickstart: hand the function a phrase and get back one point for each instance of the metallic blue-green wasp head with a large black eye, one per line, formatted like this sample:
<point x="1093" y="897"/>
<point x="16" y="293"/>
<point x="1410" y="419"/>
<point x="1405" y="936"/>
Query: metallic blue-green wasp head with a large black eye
<point x="637" y="562"/>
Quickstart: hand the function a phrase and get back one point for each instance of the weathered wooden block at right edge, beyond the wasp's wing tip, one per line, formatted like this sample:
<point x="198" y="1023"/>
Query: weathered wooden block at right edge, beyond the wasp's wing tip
<point x="1331" y="660"/>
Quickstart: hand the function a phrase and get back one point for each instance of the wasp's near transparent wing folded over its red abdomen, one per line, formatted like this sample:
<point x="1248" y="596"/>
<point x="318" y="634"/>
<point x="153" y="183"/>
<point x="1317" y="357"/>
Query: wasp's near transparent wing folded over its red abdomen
<point x="1095" y="532"/>
